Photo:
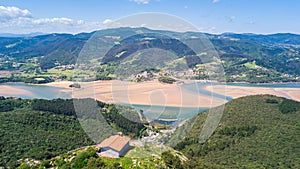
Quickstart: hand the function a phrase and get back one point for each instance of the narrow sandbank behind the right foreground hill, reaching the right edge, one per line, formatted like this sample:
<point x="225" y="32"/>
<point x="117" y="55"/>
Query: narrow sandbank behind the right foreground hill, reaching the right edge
<point x="240" y="91"/>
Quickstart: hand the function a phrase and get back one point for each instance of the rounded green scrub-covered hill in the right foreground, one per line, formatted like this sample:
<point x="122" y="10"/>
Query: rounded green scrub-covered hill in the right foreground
<point x="255" y="132"/>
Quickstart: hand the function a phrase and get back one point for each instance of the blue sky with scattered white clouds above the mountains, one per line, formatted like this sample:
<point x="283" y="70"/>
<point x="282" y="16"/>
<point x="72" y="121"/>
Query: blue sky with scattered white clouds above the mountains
<point x="211" y="16"/>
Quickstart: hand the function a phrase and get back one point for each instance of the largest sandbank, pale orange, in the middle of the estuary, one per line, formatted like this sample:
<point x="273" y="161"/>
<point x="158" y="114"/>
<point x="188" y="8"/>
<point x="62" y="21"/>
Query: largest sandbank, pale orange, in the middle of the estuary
<point x="146" y="93"/>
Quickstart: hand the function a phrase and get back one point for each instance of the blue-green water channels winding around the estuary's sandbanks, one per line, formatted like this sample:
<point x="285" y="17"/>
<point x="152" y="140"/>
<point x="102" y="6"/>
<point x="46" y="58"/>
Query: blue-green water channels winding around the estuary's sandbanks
<point x="151" y="111"/>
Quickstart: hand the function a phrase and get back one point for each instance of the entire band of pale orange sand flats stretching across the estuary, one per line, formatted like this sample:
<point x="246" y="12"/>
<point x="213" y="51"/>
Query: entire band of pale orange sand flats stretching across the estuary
<point x="159" y="94"/>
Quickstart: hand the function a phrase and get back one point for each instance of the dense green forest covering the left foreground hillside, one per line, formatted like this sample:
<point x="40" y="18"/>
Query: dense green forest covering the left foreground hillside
<point x="42" y="129"/>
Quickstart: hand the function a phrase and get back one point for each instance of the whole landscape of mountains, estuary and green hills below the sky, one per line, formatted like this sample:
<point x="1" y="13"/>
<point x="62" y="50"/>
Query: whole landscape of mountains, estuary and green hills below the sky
<point x="65" y="93"/>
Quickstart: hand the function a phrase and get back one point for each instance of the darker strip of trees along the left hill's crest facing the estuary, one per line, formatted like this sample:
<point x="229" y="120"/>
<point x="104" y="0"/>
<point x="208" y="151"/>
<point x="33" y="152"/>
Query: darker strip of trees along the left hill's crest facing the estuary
<point x="113" y="114"/>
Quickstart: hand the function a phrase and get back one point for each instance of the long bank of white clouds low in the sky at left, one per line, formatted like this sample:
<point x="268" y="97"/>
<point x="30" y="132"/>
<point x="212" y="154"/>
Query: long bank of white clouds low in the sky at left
<point x="16" y="20"/>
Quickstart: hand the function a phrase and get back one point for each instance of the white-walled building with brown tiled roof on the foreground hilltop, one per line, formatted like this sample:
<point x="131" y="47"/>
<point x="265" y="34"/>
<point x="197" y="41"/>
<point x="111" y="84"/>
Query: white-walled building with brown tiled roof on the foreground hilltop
<point x="114" y="147"/>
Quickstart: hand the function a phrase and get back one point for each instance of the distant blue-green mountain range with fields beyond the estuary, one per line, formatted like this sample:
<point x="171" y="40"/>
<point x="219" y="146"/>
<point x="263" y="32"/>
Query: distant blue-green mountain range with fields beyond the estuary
<point x="245" y="57"/>
